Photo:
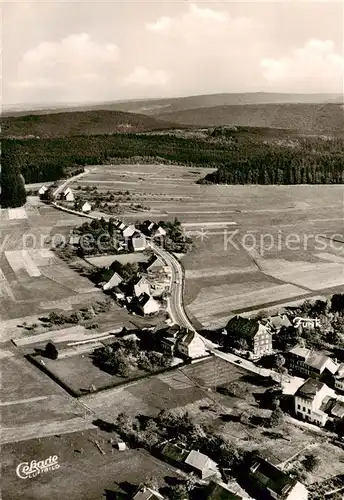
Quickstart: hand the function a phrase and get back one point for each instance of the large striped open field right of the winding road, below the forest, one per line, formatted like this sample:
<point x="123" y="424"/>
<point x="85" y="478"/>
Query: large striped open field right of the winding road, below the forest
<point x="266" y="219"/>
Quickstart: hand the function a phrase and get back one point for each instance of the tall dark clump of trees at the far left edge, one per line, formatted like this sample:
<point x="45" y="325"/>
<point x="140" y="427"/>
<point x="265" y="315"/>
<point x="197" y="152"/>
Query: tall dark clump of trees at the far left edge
<point x="12" y="183"/>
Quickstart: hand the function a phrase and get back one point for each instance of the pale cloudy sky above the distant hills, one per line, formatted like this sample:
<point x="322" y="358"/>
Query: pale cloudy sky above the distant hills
<point x="57" y="52"/>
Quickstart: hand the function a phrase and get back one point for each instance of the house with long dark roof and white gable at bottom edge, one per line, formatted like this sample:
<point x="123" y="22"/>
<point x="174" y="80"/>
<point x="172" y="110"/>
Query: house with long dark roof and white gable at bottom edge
<point x="267" y="481"/>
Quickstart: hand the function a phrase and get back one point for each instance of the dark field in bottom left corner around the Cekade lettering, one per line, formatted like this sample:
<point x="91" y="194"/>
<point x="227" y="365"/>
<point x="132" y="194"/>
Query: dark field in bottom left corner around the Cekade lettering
<point x="84" y="473"/>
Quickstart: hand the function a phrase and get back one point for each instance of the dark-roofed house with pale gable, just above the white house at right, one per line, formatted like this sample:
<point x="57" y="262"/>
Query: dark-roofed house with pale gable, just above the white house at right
<point x="310" y="363"/>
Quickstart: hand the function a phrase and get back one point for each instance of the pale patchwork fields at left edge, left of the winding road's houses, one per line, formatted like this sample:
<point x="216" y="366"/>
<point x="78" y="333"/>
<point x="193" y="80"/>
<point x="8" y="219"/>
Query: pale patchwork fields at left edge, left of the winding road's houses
<point x="33" y="280"/>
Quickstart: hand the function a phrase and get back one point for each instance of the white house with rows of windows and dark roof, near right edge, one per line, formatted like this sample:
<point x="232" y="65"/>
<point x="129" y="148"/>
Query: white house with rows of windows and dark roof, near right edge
<point x="311" y="401"/>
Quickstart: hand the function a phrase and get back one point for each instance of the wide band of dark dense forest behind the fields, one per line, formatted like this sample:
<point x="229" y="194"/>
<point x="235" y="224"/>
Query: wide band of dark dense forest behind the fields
<point x="239" y="159"/>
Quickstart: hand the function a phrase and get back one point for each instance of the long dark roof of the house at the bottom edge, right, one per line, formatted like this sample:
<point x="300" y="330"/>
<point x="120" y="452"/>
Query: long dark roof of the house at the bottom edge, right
<point x="267" y="476"/>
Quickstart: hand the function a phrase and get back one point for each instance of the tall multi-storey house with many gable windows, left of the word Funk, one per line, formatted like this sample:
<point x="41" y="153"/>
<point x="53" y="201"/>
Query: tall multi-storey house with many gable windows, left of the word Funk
<point x="256" y="334"/>
